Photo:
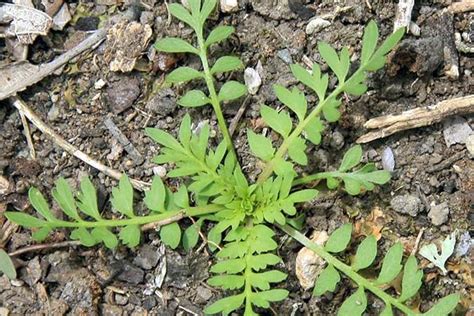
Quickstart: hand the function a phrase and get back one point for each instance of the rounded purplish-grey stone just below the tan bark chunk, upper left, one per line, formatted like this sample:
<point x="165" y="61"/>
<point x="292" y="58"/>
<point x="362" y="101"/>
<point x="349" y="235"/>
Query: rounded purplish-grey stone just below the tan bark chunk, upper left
<point x="122" y="93"/>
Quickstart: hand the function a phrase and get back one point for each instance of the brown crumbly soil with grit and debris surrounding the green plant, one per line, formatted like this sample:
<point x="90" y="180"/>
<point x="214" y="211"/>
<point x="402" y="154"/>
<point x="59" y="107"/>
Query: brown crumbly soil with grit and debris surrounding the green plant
<point x="432" y="185"/>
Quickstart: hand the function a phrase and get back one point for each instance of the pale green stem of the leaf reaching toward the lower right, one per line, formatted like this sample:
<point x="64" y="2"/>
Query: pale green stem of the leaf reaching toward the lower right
<point x="347" y="270"/>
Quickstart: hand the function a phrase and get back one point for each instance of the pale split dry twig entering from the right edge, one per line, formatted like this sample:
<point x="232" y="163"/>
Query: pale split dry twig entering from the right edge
<point x="391" y="124"/>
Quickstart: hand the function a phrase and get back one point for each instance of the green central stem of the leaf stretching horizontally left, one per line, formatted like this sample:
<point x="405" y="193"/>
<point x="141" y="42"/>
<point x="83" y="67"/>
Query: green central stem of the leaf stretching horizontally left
<point x="139" y="220"/>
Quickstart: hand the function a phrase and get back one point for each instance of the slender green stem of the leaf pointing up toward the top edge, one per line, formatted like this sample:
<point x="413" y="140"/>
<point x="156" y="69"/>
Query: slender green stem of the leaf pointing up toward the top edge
<point x="213" y="95"/>
